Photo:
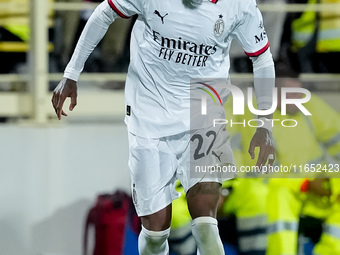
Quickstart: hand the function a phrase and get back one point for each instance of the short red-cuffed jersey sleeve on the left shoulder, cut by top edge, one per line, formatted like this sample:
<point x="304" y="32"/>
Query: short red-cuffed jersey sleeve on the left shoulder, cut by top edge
<point x="126" y="8"/>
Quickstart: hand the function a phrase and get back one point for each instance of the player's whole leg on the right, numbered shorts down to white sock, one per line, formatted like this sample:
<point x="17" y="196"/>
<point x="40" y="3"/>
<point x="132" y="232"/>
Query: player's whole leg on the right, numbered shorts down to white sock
<point x="208" y="148"/>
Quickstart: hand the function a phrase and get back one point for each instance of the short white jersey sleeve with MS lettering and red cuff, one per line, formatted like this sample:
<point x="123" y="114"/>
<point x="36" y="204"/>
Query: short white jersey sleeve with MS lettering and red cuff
<point x="250" y="31"/>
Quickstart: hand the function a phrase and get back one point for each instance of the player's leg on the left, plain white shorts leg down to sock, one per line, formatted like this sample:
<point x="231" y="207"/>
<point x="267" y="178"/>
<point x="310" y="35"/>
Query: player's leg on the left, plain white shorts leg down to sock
<point x="153" y="188"/>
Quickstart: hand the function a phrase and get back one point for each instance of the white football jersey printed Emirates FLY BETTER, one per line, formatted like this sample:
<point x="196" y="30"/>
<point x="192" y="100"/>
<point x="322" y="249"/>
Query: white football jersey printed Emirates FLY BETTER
<point x="173" y="44"/>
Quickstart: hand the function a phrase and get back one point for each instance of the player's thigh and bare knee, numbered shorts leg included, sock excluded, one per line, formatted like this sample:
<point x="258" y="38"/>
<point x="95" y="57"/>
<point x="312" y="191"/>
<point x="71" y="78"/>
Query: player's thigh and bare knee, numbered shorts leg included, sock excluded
<point x="208" y="156"/>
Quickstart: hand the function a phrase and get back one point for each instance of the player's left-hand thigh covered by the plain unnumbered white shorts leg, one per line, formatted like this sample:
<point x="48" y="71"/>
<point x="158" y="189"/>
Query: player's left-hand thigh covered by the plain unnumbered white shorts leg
<point x="152" y="168"/>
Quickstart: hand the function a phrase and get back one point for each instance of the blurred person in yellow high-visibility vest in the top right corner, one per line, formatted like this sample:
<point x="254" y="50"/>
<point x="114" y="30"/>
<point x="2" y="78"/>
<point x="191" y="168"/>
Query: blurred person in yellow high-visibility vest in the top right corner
<point x="316" y="38"/>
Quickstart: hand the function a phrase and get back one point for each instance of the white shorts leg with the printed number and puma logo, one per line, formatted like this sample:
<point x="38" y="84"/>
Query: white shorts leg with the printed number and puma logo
<point x="208" y="158"/>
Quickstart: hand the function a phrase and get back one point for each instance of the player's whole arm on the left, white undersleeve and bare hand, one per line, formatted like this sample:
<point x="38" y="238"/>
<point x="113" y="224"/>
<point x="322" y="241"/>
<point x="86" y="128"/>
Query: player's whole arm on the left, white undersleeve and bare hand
<point x="93" y="32"/>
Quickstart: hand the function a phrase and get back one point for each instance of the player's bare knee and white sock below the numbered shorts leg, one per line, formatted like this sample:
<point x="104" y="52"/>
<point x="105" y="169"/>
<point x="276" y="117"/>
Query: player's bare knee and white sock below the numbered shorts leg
<point x="202" y="203"/>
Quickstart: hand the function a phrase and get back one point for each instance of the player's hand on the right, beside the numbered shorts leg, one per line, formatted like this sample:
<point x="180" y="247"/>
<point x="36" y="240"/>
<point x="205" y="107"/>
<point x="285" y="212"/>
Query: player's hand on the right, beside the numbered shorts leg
<point x="264" y="140"/>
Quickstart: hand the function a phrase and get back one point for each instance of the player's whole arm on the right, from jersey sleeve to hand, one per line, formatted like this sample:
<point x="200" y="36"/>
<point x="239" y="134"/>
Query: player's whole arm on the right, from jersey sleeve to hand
<point x="252" y="36"/>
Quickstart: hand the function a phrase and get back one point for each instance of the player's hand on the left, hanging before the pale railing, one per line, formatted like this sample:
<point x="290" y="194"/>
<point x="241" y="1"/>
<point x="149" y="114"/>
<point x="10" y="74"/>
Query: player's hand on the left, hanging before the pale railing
<point x="66" y="88"/>
